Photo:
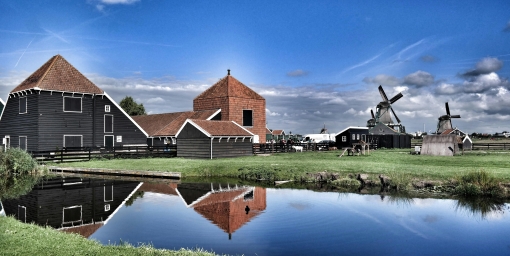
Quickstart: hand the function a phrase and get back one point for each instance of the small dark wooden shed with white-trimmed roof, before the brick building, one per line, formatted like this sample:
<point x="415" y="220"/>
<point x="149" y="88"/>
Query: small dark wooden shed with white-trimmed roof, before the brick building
<point x="213" y="139"/>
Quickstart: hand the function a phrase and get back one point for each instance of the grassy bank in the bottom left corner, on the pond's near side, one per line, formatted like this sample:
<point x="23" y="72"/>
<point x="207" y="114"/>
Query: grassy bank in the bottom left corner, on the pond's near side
<point x="18" y="238"/>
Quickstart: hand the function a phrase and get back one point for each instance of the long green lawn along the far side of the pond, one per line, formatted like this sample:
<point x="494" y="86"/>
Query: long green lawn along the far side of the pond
<point x="295" y="164"/>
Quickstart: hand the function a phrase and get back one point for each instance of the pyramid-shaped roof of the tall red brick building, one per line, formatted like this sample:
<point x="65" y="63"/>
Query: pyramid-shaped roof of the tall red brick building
<point x="228" y="86"/>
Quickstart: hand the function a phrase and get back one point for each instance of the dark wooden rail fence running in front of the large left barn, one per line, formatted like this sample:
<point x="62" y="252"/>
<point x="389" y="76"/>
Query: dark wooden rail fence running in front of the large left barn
<point x="86" y="154"/>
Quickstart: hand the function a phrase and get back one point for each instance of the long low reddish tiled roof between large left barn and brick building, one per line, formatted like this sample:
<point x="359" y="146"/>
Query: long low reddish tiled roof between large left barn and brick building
<point x="168" y="124"/>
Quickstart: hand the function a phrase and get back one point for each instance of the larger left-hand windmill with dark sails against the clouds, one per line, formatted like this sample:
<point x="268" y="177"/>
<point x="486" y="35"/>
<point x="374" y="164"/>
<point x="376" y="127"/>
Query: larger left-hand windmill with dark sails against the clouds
<point x="384" y="111"/>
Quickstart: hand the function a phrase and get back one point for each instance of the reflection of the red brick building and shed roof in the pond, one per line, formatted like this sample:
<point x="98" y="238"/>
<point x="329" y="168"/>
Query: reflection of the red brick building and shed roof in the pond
<point x="227" y="207"/>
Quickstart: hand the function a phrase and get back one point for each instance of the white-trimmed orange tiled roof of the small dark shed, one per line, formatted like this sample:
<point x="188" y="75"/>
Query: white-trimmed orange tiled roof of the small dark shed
<point x="218" y="128"/>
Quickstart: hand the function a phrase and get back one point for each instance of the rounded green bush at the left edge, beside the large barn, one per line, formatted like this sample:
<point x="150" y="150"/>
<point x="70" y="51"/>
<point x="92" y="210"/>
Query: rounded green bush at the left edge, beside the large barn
<point x="16" y="161"/>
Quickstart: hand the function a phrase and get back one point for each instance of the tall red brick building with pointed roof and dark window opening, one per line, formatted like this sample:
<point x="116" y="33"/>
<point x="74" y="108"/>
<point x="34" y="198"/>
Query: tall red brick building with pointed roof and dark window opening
<point x="237" y="102"/>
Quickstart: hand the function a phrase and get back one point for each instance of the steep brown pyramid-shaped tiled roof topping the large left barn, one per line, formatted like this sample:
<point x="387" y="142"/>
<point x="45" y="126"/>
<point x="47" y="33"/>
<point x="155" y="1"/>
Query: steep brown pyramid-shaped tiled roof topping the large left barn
<point x="58" y="75"/>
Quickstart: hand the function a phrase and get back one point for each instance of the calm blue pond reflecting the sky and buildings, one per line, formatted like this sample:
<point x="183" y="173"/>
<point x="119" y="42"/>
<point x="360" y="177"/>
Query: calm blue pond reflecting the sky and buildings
<point x="252" y="220"/>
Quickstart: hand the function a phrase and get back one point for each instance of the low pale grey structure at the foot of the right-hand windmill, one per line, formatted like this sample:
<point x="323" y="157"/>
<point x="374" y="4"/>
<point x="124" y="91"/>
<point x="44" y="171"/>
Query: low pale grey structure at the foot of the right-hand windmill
<point x="440" y="145"/>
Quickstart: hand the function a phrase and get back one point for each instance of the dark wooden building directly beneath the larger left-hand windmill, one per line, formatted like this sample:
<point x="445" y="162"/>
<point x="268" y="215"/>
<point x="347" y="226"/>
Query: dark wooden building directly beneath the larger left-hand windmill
<point x="383" y="136"/>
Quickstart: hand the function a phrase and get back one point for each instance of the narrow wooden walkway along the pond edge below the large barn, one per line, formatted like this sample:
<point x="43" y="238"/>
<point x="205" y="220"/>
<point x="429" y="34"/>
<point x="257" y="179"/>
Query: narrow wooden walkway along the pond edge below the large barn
<point x="154" y="174"/>
